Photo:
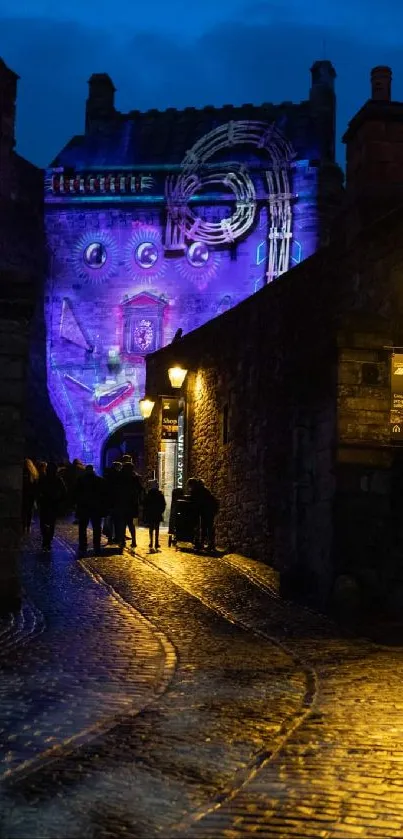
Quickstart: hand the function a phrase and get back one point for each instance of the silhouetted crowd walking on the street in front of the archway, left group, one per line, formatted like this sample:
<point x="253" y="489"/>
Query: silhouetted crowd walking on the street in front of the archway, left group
<point x="111" y="504"/>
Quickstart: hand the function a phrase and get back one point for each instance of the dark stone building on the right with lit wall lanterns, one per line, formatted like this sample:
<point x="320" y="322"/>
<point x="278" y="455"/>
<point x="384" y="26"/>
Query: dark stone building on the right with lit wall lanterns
<point x="286" y="410"/>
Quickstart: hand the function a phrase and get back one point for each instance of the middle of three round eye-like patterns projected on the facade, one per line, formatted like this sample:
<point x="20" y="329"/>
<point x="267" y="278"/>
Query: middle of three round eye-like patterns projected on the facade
<point x="144" y="254"/>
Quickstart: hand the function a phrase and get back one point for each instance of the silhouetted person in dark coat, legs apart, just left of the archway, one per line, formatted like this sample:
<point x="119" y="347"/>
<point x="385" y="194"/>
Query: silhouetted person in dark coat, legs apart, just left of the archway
<point x="90" y="500"/>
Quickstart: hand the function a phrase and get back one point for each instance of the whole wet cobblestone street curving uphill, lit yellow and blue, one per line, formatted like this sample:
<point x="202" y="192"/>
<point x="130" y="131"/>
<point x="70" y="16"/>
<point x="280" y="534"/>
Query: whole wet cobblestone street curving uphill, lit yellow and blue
<point x="173" y="694"/>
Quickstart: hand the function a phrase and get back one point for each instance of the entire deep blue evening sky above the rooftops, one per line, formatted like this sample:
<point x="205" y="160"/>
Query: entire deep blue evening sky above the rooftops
<point x="174" y="53"/>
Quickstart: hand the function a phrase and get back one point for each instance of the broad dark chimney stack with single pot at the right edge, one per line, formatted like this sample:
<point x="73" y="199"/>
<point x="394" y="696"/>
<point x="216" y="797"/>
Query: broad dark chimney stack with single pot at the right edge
<point x="374" y="153"/>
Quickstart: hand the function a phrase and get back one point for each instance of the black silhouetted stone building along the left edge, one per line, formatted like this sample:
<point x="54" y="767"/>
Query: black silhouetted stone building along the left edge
<point x="21" y="279"/>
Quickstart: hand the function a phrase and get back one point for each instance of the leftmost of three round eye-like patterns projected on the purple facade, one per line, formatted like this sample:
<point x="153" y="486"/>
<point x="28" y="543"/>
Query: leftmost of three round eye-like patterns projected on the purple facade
<point x="95" y="256"/>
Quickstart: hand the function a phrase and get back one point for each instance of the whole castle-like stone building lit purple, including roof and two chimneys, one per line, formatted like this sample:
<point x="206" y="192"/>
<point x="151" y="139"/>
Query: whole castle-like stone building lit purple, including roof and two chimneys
<point x="161" y="221"/>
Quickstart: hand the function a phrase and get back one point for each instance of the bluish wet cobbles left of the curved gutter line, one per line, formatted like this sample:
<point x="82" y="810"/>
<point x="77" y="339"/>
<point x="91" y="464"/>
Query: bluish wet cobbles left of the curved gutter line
<point x="63" y="686"/>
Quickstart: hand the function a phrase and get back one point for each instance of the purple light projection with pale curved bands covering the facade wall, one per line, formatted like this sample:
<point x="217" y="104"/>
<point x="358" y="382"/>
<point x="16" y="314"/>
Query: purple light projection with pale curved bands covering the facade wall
<point x="126" y="275"/>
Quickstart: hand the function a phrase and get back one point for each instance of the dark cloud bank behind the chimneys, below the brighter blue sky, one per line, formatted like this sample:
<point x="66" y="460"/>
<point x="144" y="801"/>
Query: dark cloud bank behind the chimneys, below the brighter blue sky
<point x="231" y="62"/>
